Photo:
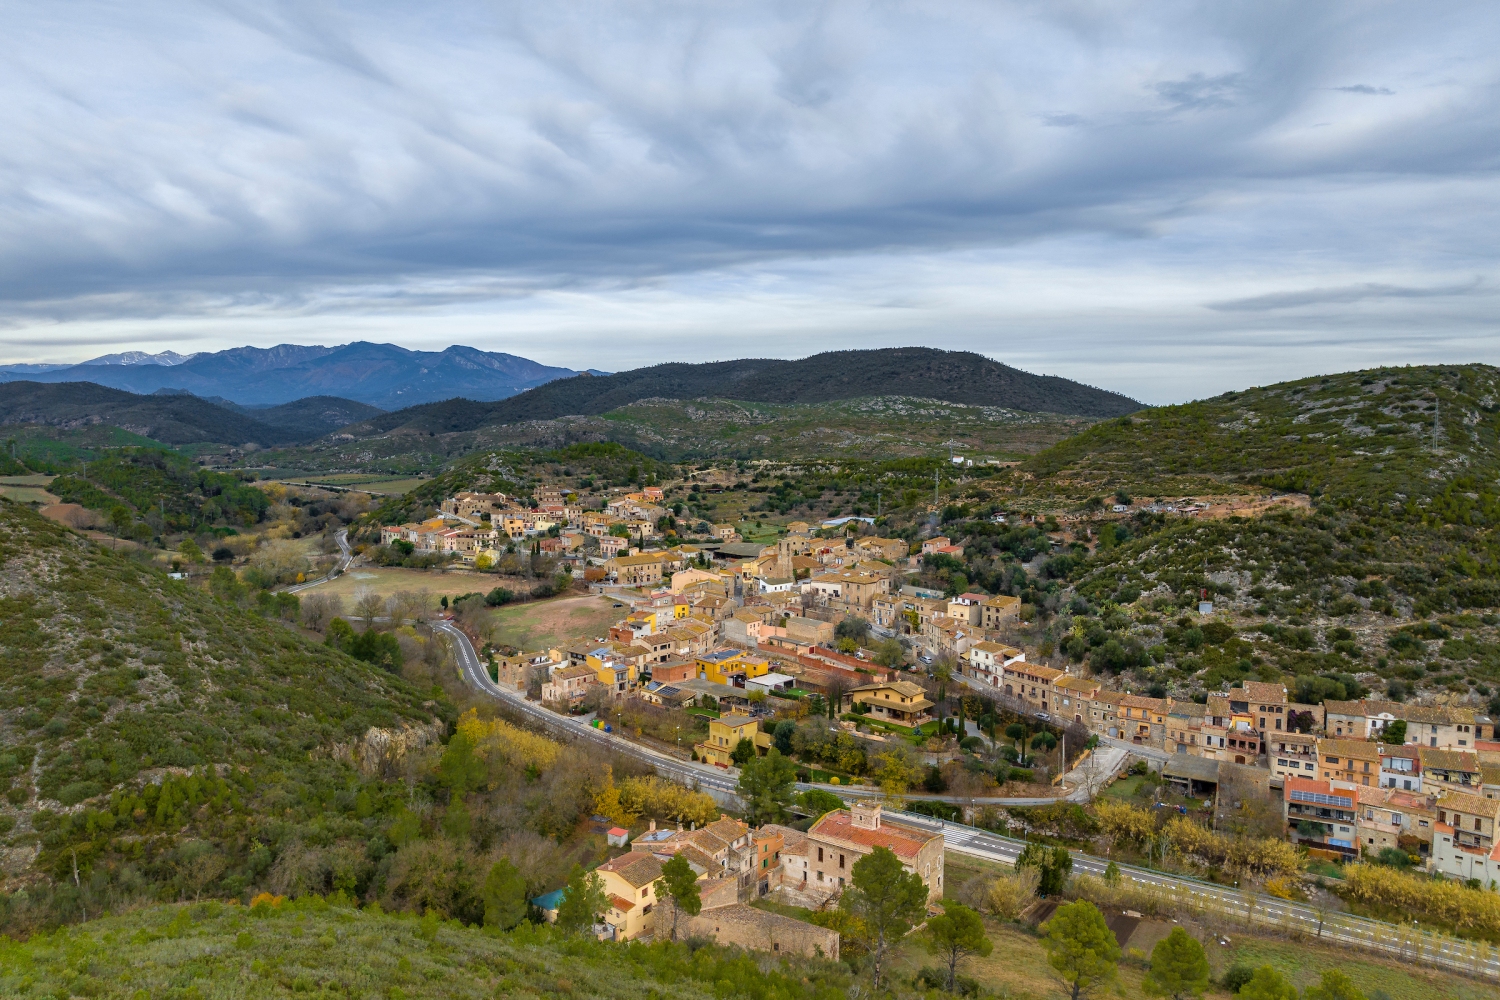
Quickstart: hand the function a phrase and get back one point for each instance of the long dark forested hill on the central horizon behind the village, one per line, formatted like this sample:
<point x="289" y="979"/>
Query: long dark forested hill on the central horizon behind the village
<point x="956" y="377"/>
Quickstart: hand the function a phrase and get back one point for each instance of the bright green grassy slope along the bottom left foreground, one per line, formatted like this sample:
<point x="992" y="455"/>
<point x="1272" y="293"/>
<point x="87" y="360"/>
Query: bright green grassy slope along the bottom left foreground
<point x="311" y="948"/>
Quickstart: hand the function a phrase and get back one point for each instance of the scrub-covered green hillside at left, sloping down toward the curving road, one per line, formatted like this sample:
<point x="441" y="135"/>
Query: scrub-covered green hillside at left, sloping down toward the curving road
<point x="115" y="678"/>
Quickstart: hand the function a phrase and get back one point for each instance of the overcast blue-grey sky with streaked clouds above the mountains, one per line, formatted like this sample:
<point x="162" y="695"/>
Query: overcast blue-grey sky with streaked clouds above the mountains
<point x="1168" y="200"/>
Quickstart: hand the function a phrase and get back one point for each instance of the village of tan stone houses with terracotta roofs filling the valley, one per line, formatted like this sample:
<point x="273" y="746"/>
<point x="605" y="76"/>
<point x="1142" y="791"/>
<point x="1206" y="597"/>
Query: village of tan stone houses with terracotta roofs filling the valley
<point x="824" y="623"/>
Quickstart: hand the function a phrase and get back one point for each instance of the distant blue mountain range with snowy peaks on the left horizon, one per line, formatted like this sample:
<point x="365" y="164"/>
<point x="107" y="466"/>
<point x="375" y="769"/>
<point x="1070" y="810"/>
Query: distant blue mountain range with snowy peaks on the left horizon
<point x="377" y="374"/>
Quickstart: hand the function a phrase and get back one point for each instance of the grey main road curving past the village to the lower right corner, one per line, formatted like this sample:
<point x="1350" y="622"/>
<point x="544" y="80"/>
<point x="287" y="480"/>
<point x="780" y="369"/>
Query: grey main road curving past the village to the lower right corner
<point x="1247" y="908"/>
